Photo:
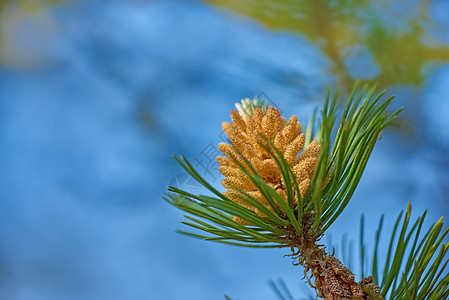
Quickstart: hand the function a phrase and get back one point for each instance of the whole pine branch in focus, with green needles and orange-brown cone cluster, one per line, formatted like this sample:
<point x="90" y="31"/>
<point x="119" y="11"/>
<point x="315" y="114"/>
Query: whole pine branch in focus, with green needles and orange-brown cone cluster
<point x="284" y="190"/>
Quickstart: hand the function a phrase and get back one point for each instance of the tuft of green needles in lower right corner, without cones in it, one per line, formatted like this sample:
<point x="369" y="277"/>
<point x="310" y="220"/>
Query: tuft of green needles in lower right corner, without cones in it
<point x="415" y="263"/>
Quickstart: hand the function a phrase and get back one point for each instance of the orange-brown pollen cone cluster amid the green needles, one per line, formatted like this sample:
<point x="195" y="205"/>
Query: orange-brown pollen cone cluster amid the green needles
<point x="248" y="135"/>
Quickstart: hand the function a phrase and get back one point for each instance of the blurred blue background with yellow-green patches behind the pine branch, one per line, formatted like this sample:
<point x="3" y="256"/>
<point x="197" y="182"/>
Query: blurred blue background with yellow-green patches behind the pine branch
<point x="95" y="96"/>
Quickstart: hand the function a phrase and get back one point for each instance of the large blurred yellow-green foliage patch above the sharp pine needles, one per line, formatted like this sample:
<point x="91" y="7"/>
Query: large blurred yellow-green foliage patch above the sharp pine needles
<point x="396" y="35"/>
